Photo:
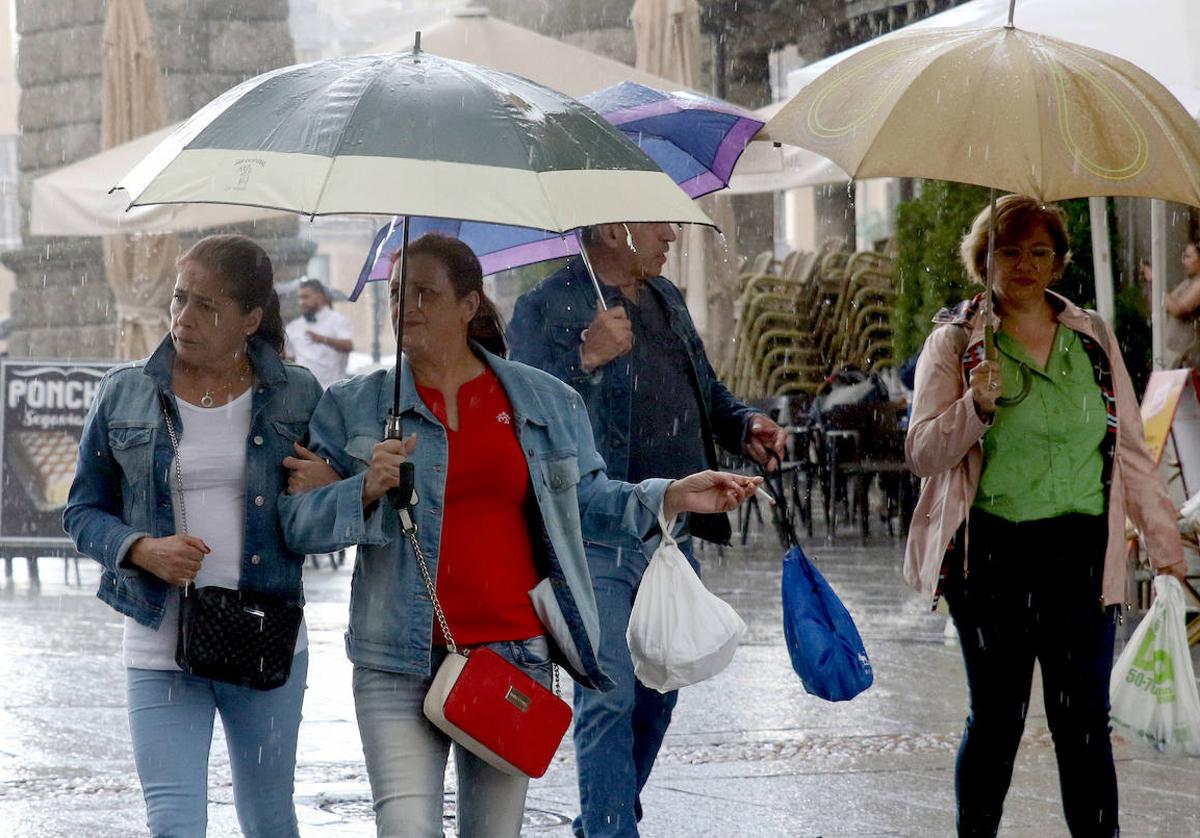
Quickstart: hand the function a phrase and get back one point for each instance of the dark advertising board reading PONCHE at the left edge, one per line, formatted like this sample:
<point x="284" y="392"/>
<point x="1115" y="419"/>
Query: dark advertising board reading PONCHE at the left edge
<point x="45" y="404"/>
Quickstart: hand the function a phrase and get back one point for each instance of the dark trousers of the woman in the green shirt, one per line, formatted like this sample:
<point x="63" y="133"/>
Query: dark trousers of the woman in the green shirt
<point x="1031" y="592"/>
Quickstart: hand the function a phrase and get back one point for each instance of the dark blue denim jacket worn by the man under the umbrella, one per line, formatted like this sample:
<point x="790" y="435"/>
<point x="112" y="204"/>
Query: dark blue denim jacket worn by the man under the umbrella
<point x="545" y="332"/>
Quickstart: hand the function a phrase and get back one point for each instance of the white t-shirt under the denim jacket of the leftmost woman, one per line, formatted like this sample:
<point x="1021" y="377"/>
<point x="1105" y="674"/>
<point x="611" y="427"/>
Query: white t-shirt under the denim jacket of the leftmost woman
<point x="213" y="457"/>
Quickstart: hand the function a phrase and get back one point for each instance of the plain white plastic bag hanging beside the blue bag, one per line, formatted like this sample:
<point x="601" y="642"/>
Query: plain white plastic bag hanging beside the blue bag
<point x="679" y="633"/>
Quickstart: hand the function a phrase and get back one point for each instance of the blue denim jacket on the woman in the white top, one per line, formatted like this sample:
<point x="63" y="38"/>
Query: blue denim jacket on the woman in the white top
<point x="123" y="486"/>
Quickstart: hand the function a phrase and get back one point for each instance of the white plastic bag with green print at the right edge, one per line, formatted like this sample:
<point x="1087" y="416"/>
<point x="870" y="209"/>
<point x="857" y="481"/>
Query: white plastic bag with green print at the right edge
<point x="1154" y="687"/>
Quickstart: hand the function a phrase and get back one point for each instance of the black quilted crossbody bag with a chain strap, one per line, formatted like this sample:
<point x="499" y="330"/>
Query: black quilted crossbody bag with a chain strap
<point x="243" y="638"/>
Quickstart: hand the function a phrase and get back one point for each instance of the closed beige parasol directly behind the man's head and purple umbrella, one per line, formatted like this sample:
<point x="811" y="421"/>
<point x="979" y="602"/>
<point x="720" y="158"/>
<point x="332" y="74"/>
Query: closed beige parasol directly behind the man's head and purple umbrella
<point x="668" y="35"/>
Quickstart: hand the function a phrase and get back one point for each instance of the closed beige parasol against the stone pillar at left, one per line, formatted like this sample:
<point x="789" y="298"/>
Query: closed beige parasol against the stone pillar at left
<point x="140" y="270"/>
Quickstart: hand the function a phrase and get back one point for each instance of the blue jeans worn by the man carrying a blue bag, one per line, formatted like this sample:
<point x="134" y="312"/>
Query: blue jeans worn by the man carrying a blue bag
<point x="619" y="733"/>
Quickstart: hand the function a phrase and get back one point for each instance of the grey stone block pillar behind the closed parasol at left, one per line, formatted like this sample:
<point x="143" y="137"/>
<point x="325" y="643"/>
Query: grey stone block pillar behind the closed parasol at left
<point x="62" y="306"/>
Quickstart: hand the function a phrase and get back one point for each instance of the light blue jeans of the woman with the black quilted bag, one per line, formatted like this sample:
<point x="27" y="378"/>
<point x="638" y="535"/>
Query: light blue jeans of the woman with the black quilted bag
<point x="171" y="722"/>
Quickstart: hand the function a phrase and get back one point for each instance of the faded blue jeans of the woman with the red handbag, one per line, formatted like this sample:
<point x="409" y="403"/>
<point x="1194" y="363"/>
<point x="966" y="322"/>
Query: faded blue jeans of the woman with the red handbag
<point x="407" y="756"/>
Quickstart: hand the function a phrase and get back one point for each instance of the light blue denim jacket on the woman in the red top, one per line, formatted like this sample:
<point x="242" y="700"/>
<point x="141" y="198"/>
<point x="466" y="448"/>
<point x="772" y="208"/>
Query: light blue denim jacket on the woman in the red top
<point x="392" y="615"/>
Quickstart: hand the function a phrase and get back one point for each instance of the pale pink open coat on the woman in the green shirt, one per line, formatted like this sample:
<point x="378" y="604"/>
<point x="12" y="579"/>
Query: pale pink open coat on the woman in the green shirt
<point x="944" y="446"/>
